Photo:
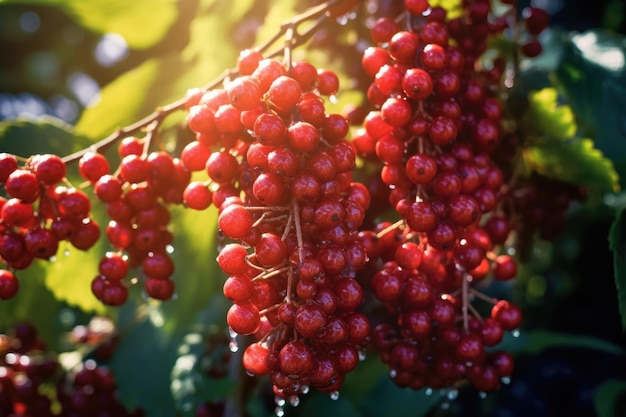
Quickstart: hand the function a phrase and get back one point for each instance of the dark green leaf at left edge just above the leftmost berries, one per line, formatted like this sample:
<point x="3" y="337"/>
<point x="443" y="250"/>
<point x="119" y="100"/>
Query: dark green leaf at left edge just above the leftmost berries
<point x="46" y="134"/>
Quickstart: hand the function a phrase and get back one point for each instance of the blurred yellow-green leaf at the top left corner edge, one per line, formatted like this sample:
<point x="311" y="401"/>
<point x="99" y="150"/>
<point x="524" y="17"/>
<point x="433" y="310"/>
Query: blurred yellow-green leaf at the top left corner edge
<point x="142" y="23"/>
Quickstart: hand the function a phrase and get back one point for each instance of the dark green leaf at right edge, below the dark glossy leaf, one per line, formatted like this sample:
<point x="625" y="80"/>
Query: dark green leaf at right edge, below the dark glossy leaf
<point x="617" y="243"/>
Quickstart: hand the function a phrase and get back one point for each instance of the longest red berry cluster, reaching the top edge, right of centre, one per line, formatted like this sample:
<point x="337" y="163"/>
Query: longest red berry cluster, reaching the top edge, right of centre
<point x="435" y="126"/>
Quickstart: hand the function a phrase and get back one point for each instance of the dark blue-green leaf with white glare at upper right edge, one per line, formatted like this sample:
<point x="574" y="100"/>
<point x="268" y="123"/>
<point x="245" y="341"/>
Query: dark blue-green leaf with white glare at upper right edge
<point x="592" y="76"/>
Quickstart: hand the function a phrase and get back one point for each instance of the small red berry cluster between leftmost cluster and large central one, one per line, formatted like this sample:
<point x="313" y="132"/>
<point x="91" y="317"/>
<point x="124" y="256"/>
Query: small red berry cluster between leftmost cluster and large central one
<point x="137" y="199"/>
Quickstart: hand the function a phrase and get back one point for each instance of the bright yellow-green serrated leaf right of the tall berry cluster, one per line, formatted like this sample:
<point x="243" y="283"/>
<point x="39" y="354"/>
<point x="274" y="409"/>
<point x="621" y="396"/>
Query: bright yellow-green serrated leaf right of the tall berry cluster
<point x="555" y="150"/>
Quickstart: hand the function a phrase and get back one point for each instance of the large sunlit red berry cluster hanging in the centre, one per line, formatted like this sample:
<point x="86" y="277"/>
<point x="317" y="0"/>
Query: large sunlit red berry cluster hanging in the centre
<point x="281" y="177"/>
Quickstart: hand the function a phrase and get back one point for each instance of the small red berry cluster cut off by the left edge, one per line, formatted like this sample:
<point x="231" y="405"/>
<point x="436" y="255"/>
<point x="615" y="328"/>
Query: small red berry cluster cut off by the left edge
<point x="39" y="211"/>
